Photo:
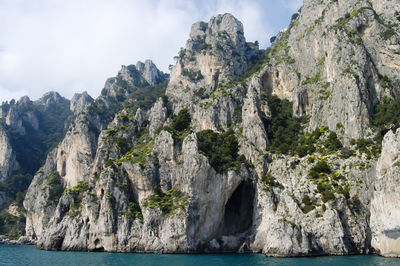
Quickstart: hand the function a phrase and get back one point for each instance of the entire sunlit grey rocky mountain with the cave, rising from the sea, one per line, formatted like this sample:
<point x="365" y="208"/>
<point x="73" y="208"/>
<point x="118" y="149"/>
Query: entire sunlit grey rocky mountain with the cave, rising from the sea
<point x="289" y="151"/>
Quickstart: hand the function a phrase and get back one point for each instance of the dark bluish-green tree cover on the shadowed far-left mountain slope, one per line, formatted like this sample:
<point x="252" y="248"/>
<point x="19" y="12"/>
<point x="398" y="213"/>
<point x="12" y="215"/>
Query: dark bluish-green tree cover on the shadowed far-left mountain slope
<point x="32" y="147"/>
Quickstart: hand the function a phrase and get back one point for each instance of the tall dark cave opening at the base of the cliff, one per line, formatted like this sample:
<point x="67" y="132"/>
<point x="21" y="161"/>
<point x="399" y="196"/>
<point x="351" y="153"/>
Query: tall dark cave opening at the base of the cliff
<point x="238" y="215"/>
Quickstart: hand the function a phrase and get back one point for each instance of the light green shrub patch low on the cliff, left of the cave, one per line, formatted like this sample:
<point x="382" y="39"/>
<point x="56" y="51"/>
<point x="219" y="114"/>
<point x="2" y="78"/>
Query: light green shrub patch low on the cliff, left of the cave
<point x="167" y="202"/>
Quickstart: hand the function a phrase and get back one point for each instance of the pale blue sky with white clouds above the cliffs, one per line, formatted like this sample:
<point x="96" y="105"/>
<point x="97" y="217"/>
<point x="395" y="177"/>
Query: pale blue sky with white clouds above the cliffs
<point x="73" y="46"/>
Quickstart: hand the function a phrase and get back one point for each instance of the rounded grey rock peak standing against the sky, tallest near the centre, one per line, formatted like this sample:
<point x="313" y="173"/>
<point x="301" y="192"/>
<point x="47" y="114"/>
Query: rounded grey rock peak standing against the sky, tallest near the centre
<point x="215" y="53"/>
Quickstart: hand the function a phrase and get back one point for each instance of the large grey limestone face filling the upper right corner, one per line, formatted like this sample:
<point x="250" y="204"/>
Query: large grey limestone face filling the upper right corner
<point x="331" y="59"/>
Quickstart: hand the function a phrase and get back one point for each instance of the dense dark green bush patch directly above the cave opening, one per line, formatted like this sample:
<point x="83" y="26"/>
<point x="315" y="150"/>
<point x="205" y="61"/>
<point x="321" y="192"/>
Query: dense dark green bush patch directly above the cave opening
<point x="221" y="149"/>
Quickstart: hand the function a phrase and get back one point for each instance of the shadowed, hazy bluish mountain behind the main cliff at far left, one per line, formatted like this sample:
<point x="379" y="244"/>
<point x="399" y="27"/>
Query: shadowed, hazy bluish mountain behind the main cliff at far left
<point x="28" y="130"/>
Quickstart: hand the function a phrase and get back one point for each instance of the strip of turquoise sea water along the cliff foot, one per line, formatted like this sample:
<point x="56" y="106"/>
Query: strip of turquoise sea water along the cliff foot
<point x="28" y="255"/>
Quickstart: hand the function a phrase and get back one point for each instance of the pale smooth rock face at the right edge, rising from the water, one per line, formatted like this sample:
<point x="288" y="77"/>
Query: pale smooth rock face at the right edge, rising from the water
<point x="385" y="211"/>
